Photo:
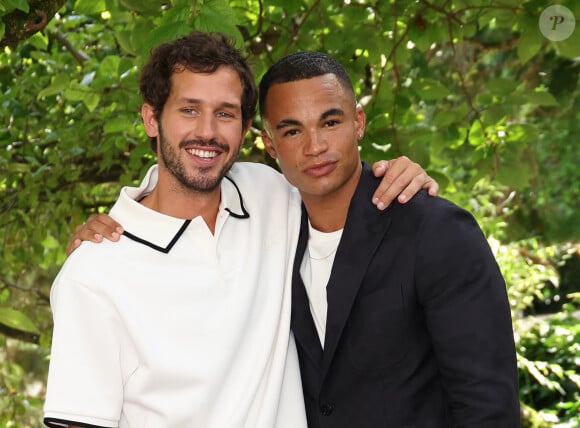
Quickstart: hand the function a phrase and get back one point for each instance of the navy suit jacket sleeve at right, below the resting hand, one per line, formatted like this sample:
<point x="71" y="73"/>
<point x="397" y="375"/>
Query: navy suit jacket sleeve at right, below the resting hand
<point x="468" y="317"/>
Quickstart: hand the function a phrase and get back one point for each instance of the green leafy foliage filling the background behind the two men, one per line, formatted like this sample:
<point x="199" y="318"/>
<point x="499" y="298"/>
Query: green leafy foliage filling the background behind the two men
<point x="470" y="89"/>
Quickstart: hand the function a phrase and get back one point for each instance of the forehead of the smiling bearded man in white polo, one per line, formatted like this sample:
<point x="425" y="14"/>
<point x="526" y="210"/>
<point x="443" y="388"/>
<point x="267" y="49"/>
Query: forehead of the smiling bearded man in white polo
<point x="224" y="84"/>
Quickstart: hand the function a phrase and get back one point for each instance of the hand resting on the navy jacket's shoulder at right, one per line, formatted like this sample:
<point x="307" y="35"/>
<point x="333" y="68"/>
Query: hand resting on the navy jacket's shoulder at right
<point x="402" y="179"/>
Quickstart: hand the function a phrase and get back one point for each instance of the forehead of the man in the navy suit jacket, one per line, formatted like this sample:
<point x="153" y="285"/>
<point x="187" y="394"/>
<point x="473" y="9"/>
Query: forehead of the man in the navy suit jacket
<point x="297" y="97"/>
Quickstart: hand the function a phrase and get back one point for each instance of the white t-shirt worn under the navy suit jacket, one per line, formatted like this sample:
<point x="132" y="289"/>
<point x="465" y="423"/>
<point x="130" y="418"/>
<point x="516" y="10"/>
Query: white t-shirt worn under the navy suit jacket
<point x="315" y="272"/>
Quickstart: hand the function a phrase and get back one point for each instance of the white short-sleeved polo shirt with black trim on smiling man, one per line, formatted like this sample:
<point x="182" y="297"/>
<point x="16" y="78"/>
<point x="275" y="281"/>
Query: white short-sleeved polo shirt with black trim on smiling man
<point x="176" y="327"/>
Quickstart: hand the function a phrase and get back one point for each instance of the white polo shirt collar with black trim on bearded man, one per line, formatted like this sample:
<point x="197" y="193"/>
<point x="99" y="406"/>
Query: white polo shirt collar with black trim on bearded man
<point x="160" y="231"/>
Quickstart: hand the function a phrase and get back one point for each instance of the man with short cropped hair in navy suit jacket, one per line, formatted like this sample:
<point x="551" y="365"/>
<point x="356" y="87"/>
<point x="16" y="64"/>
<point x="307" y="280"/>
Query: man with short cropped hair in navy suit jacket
<point x="401" y="316"/>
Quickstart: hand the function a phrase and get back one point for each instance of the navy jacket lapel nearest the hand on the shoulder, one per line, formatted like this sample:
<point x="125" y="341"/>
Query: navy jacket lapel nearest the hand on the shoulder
<point x="364" y="230"/>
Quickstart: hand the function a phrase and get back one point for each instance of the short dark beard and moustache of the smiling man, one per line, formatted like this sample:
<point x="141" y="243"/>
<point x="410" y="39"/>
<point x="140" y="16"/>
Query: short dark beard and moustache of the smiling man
<point x="200" y="180"/>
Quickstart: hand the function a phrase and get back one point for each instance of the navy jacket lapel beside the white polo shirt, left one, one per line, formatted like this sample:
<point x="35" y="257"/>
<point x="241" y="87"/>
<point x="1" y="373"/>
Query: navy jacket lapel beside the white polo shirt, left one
<point x="302" y="322"/>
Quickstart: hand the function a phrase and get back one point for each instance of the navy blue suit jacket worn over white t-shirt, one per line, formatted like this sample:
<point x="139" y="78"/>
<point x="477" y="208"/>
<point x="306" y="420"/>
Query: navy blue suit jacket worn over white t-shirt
<point x="419" y="330"/>
